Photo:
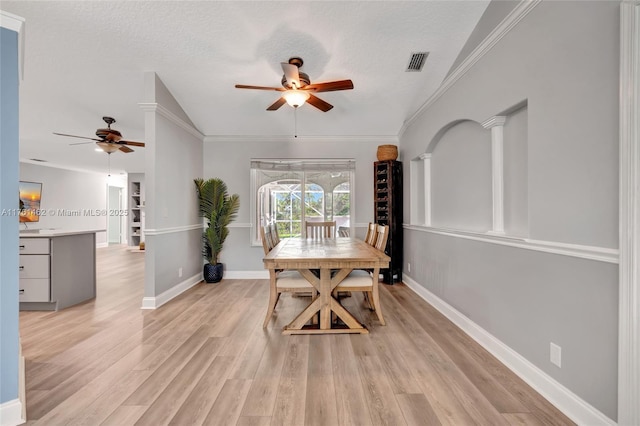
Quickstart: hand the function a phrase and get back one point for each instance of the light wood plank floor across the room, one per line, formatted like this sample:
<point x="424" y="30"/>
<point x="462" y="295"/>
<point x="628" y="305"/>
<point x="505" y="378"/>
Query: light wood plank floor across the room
<point x="204" y="358"/>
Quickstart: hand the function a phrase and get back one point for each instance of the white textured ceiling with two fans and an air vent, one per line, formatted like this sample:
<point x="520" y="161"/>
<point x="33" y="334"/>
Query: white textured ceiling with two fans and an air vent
<point x="86" y="59"/>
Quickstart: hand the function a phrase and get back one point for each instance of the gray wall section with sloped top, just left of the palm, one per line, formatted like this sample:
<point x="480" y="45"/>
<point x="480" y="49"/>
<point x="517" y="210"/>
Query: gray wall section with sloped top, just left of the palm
<point x="173" y="158"/>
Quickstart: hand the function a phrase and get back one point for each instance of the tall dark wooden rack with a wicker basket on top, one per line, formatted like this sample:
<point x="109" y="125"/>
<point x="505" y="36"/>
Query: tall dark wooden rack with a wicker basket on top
<point x="387" y="195"/>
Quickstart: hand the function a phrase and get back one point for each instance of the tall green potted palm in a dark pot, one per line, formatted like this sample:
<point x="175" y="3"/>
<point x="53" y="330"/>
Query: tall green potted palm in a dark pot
<point x="219" y="209"/>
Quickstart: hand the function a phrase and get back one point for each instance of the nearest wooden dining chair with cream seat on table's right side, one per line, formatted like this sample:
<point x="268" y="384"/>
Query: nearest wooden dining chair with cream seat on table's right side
<point x="367" y="282"/>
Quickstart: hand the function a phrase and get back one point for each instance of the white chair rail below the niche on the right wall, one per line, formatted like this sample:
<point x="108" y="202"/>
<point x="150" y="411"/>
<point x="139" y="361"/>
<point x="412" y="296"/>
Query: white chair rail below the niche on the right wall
<point x="601" y="254"/>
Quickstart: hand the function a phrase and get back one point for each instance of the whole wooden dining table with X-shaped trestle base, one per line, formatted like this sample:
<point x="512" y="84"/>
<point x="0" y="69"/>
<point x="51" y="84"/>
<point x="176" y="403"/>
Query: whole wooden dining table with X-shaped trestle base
<point x="334" y="259"/>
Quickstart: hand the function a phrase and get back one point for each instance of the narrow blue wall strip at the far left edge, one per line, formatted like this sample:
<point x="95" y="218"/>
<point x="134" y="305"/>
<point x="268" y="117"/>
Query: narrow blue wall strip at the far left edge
<point x="9" y="333"/>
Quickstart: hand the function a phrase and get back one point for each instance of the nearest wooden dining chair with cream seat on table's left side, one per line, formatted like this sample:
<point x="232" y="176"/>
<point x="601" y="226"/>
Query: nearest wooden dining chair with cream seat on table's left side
<point x="281" y="281"/>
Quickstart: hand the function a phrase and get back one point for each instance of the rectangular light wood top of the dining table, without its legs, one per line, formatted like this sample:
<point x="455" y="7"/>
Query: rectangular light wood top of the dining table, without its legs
<point x="341" y="252"/>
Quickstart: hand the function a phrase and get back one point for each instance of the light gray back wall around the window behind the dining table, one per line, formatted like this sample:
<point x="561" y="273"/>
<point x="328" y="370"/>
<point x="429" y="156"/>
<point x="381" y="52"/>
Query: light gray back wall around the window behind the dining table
<point x="230" y="161"/>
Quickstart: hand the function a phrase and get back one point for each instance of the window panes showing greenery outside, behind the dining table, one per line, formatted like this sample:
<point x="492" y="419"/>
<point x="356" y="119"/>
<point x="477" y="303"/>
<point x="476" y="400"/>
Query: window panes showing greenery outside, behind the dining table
<point x="326" y="197"/>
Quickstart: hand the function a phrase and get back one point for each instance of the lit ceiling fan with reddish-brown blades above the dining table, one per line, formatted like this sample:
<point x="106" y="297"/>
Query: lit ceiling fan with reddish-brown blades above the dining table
<point x="298" y="89"/>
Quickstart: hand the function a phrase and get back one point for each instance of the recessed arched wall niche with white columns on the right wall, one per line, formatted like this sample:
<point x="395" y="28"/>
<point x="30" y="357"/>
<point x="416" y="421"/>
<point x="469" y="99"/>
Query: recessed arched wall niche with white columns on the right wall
<point x="474" y="177"/>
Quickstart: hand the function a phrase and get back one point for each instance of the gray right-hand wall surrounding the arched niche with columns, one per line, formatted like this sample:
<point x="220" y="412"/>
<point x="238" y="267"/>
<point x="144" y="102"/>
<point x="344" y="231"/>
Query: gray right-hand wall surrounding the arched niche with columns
<point x="562" y="60"/>
